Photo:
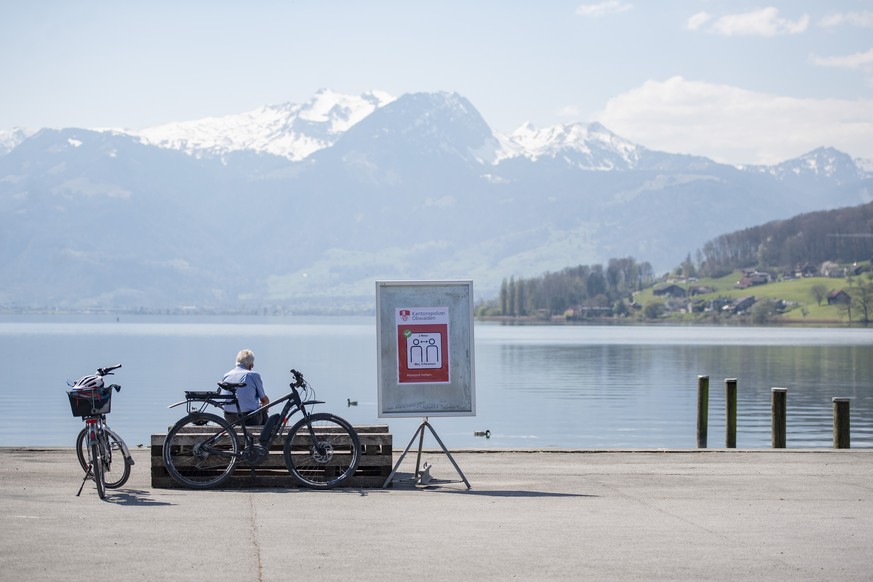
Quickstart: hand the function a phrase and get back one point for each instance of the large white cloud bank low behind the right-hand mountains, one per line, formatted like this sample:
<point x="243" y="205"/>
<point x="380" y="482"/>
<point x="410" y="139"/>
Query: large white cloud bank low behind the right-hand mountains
<point x="733" y="125"/>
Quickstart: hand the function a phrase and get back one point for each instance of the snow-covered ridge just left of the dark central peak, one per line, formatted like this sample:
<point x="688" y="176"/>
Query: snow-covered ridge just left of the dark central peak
<point x="289" y="130"/>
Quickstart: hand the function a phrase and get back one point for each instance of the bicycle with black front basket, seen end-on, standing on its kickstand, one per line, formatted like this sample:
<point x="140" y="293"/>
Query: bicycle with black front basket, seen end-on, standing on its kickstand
<point x="97" y="444"/>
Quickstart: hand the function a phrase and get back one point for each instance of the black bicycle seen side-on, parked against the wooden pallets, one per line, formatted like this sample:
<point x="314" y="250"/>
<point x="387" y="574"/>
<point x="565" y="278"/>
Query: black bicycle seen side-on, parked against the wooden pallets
<point x="321" y="450"/>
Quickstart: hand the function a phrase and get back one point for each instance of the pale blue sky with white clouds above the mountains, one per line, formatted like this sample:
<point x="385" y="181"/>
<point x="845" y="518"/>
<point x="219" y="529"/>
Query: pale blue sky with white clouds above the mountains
<point x="741" y="82"/>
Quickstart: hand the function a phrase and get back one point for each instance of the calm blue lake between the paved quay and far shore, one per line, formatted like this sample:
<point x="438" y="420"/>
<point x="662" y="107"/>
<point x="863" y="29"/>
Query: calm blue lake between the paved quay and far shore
<point x="537" y="386"/>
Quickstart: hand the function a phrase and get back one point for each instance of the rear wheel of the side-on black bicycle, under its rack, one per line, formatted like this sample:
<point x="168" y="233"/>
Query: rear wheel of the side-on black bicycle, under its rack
<point x="198" y="458"/>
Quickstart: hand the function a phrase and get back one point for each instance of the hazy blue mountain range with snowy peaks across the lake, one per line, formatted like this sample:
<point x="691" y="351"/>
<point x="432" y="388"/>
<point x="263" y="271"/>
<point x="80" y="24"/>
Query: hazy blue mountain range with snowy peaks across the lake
<point x="302" y="207"/>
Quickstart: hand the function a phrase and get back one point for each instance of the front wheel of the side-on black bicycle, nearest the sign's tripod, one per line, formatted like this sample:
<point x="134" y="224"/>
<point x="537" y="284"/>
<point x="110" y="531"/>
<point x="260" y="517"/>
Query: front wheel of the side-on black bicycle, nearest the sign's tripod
<point x="330" y="459"/>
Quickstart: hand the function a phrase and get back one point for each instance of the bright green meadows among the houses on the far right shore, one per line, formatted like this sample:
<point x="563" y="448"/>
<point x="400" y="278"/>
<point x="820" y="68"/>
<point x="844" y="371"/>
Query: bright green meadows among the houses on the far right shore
<point x="798" y="292"/>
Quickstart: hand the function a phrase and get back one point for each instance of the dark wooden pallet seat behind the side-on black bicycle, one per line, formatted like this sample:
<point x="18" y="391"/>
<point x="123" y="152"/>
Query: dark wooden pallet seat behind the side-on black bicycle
<point x="373" y="470"/>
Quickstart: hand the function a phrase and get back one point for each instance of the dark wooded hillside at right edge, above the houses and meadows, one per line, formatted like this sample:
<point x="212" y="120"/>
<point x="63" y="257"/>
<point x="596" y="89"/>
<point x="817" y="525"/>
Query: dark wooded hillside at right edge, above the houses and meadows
<point x="843" y="235"/>
